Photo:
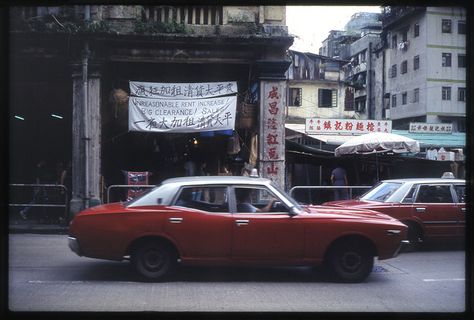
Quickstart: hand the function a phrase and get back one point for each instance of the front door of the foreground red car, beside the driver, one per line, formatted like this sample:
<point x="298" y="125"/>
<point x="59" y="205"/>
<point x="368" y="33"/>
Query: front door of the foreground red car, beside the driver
<point x="266" y="235"/>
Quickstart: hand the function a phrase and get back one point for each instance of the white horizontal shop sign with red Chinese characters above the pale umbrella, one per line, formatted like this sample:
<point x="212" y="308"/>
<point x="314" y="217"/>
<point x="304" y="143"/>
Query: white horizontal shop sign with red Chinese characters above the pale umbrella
<point x="346" y="126"/>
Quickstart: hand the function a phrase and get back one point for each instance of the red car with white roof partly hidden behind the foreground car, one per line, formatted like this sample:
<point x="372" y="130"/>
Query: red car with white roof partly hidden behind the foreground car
<point x="431" y="208"/>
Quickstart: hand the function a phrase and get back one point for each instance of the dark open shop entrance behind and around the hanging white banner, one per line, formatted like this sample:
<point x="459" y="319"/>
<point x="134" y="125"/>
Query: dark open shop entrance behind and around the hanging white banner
<point x="167" y="155"/>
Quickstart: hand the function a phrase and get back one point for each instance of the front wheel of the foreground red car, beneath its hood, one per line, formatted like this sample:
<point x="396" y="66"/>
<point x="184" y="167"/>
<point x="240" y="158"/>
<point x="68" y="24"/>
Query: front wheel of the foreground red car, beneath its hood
<point x="351" y="261"/>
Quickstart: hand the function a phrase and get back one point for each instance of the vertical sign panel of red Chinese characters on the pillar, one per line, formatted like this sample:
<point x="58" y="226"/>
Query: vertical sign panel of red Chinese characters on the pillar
<point x="272" y="134"/>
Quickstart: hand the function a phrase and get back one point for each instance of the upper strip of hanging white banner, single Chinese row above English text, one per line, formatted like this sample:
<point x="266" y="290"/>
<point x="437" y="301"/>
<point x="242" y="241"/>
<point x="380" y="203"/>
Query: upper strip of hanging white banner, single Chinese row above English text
<point x="182" y="90"/>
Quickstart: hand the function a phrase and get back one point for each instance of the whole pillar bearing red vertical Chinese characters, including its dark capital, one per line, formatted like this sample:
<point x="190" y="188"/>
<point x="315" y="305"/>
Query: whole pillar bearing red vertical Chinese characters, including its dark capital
<point x="272" y="79"/>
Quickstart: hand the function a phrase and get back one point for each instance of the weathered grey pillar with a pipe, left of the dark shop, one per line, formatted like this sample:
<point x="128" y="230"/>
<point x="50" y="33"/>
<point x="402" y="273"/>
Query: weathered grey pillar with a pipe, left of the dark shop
<point x="86" y="128"/>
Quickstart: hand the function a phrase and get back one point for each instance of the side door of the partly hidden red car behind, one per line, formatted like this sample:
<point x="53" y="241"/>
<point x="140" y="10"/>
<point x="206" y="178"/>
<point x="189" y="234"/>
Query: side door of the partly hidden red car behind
<point x="434" y="206"/>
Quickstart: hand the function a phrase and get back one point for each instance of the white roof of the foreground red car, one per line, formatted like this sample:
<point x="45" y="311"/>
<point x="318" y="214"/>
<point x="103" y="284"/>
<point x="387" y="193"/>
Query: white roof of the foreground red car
<point x="200" y="180"/>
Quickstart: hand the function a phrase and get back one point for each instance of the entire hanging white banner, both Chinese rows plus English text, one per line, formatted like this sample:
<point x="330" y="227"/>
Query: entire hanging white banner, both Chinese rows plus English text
<point x="181" y="107"/>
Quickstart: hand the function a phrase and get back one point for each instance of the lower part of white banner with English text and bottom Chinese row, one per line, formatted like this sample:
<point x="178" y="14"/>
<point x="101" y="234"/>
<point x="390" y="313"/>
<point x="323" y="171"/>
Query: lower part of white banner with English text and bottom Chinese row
<point x="168" y="115"/>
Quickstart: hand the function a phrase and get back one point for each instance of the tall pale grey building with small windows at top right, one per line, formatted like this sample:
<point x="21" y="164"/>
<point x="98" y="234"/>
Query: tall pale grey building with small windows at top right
<point x="425" y="65"/>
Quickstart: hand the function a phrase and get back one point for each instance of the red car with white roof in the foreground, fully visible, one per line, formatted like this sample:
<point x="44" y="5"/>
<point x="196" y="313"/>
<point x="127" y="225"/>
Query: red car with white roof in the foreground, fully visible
<point x="233" y="221"/>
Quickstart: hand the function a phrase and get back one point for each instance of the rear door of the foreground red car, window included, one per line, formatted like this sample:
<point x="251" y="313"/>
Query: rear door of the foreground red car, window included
<point x="200" y="223"/>
